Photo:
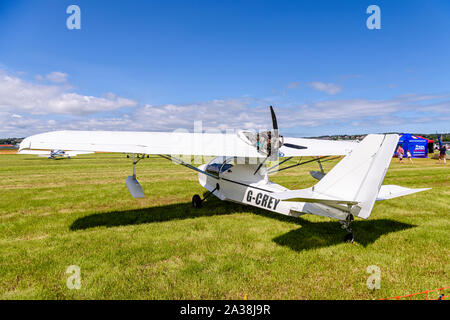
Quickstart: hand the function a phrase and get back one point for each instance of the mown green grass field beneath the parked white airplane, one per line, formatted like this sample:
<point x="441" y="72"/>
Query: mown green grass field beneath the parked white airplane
<point x="54" y="214"/>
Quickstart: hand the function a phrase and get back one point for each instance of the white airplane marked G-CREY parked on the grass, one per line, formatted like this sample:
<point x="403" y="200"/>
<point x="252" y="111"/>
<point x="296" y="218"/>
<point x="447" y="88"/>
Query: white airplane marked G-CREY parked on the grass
<point x="239" y="171"/>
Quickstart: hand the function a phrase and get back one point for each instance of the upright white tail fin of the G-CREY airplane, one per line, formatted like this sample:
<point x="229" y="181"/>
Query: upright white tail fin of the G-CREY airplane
<point x="358" y="177"/>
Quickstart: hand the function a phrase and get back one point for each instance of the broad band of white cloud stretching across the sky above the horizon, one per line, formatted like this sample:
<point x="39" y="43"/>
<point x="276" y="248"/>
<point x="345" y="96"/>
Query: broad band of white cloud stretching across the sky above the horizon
<point x="28" y="108"/>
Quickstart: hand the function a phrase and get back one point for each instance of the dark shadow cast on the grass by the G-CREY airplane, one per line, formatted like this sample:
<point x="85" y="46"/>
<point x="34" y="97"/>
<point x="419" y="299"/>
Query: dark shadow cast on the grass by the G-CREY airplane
<point x="310" y="235"/>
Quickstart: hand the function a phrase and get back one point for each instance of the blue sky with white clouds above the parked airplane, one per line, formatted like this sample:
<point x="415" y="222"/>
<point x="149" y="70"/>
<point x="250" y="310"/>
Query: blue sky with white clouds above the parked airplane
<point x="161" y="65"/>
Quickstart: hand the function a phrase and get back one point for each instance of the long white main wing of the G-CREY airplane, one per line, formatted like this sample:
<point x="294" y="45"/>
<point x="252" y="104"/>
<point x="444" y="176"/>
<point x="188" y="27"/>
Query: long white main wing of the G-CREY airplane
<point x="174" y="143"/>
